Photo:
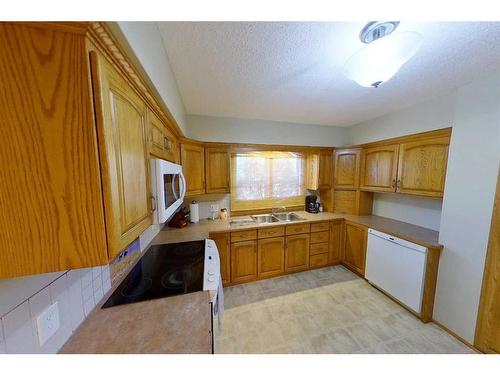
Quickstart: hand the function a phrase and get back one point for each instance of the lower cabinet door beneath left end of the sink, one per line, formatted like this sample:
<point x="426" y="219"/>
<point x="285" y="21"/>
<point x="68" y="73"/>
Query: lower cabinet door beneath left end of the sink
<point x="243" y="261"/>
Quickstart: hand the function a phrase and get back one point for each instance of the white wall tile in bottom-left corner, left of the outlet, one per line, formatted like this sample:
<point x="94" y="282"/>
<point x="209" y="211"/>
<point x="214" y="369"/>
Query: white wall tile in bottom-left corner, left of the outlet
<point x="18" y="330"/>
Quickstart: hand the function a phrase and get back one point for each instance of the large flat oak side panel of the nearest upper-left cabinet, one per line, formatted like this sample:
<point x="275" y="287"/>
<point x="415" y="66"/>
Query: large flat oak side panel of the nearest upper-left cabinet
<point x="51" y="209"/>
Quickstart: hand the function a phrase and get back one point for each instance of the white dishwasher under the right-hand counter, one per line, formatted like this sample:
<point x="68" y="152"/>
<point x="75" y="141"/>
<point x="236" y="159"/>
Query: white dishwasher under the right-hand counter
<point x="397" y="267"/>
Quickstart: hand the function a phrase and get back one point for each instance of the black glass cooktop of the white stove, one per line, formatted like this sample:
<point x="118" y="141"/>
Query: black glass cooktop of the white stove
<point x="163" y="271"/>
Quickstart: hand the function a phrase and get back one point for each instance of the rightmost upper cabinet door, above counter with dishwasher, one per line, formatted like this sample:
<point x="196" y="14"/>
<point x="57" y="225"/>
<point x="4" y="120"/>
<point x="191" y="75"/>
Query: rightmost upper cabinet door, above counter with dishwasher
<point x="422" y="167"/>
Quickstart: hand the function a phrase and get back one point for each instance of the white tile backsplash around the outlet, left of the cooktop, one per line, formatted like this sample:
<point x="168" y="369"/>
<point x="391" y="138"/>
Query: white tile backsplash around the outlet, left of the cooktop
<point x="76" y="293"/>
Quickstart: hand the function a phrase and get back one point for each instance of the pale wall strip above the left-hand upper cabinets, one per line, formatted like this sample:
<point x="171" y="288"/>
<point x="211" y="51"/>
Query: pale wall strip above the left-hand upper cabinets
<point x="143" y="41"/>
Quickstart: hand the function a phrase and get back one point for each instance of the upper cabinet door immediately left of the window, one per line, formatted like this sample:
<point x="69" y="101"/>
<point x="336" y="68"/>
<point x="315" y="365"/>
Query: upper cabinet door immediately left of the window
<point x="217" y="169"/>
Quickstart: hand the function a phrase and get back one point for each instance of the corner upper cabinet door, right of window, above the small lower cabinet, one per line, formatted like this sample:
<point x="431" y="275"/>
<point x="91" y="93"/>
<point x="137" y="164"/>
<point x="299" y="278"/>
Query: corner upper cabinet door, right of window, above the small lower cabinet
<point x="346" y="173"/>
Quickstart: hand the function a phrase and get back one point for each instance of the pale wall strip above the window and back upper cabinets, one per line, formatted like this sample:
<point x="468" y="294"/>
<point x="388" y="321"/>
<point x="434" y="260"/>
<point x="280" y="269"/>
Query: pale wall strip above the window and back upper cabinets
<point x="224" y="129"/>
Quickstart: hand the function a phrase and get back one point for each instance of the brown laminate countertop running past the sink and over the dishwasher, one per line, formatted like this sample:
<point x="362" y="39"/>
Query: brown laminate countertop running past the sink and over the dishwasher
<point x="413" y="233"/>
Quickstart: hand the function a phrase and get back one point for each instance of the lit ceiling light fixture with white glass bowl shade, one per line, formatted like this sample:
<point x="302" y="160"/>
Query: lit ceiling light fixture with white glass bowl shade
<point x="383" y="55"/>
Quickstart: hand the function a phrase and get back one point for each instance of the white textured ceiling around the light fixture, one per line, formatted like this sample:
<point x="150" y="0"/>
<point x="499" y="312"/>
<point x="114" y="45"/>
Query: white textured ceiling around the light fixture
<point x="289" y="71"/>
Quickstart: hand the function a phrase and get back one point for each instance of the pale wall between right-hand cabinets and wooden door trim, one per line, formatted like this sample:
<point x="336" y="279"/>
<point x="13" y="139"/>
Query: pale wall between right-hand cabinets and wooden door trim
<point x="468" y="203"/>
